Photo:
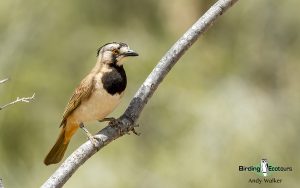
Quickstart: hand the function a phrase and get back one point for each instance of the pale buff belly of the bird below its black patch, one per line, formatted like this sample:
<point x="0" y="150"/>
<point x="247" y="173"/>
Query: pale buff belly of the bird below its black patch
<point x="97" y="107"/>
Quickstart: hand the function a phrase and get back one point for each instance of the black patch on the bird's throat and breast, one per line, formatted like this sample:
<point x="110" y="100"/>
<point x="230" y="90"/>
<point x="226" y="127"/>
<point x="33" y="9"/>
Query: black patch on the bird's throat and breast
<point x="115" y="81"/>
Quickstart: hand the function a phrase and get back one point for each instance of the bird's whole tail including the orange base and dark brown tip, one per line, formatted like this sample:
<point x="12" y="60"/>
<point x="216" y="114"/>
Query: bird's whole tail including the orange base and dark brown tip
<point x="58" y="150"/>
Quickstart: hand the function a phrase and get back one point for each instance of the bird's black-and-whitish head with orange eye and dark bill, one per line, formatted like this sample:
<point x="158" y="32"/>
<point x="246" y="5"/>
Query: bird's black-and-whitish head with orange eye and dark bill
<point x="114" y="53"/>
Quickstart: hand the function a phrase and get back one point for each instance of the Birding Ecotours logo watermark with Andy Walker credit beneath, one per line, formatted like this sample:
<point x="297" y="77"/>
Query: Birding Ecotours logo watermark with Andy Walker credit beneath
<point x="265" y="169"/>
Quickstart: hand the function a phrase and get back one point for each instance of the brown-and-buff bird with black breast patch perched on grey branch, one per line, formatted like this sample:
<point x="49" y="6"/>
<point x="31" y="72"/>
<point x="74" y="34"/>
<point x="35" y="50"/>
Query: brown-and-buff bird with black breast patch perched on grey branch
<point x="97" y="95"/>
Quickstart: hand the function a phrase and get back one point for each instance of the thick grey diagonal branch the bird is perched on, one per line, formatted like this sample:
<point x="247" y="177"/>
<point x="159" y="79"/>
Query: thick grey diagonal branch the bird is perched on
<point x="126" y="122"/>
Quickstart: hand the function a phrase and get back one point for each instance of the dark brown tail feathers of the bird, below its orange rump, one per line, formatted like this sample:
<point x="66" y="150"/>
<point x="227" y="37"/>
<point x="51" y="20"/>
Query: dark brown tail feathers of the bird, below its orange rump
<point x="58" y="150"/>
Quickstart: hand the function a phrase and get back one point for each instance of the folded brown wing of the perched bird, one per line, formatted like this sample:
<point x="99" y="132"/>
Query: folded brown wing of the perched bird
<point x="82" y="92"/>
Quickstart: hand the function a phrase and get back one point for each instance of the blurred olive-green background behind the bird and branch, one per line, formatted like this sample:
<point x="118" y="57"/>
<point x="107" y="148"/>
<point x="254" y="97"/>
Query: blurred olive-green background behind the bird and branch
<point x="231" y="100"/>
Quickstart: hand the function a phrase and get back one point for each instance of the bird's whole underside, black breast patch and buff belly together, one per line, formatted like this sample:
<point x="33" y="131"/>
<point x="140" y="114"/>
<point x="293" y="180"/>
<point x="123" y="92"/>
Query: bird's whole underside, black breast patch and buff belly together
<point x="110" y="84"/>
